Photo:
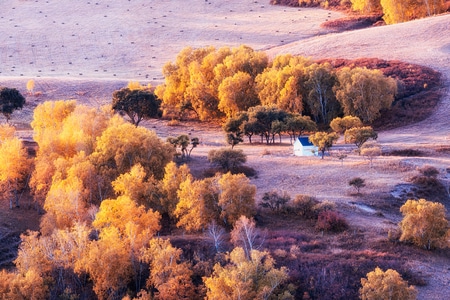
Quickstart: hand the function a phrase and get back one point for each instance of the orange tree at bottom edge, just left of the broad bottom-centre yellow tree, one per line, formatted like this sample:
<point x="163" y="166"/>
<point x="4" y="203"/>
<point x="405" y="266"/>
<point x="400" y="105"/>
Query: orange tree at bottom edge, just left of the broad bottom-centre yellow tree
<point x="168" y="276"/>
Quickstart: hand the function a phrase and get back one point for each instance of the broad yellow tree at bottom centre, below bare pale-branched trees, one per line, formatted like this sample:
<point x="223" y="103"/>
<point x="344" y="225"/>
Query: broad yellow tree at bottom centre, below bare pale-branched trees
<point x="254" y="277"/>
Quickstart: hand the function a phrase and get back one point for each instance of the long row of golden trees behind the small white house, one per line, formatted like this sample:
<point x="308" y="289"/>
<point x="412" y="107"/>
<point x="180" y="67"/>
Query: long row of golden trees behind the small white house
<point x="216" y="83"/>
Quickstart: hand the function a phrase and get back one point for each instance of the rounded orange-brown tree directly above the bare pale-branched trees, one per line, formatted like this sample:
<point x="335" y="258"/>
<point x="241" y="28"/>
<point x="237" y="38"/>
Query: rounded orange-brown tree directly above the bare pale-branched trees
<point x="236" y="197"/>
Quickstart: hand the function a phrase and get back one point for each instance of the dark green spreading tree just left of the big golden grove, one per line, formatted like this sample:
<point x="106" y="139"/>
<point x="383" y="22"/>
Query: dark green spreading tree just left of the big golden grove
<point x="137" y="104"/>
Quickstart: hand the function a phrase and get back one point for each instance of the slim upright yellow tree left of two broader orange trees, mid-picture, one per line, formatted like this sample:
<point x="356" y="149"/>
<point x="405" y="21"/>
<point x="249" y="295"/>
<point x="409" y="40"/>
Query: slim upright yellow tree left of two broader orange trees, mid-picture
<point x="170" y="184"/>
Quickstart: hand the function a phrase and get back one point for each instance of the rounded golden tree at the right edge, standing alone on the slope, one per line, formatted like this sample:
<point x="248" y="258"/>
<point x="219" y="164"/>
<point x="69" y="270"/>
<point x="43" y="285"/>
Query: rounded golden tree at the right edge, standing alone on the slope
<point x="424" y="224"/>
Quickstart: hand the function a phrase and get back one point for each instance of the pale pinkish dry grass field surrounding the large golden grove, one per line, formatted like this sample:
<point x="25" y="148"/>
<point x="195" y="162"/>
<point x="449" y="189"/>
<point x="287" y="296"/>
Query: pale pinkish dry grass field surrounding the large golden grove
<point x="85" y="50"/>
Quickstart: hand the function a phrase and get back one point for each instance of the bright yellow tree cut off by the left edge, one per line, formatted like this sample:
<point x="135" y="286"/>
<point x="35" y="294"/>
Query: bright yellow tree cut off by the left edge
<point x="14" y="168"/>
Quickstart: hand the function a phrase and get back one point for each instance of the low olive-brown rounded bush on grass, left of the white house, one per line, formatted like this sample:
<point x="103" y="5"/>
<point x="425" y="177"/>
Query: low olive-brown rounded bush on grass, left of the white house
<point x="227" y="159"/>
